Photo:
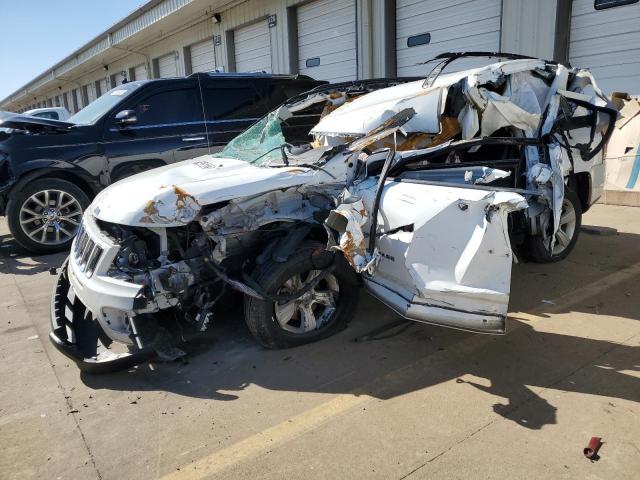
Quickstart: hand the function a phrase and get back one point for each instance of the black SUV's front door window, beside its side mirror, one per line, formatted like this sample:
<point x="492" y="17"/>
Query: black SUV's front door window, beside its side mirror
<point x="169" y="107"/>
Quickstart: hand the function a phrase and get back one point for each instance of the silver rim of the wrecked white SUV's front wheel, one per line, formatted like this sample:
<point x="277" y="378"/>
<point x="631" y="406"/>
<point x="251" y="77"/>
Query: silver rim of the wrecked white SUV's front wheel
<point x="311" y="311"/>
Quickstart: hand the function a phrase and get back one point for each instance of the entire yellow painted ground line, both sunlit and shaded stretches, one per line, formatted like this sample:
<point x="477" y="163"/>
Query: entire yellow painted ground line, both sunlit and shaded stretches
<point x="298" y="425"/>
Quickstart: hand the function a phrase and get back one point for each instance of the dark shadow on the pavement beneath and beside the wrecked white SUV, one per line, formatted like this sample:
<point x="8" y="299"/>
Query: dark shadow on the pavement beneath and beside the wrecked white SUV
<point x="409" y="357"/>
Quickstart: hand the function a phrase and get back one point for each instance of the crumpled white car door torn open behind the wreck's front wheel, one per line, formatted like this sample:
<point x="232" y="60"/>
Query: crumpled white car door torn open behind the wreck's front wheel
<point x="444" y="253"/>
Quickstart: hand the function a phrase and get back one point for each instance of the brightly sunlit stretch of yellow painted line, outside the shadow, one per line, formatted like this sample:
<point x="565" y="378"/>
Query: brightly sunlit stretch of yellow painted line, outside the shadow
<point x="269" y="438"/>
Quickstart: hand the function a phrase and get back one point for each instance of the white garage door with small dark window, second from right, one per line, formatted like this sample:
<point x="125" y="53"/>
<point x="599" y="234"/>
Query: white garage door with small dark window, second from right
<point x="426" y="28"/>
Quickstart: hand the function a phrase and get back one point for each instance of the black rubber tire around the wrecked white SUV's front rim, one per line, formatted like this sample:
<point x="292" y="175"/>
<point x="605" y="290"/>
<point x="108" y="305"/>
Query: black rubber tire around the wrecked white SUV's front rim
<point x="260" y="315"/>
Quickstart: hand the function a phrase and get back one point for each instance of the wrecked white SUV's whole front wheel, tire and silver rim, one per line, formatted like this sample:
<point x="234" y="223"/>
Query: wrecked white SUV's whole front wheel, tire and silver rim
<point x="325" y="306"/>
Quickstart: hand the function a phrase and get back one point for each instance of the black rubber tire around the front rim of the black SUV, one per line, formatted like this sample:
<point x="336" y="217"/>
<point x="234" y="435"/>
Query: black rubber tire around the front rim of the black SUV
<point x="19" y="199"/>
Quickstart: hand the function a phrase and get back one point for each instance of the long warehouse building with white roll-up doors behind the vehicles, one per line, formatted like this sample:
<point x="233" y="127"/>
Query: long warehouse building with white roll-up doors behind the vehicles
<point x="338" y="40"/>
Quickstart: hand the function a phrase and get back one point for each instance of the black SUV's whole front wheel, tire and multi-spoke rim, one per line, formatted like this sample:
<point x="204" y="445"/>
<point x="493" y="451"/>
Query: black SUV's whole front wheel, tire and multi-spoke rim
<point x="45" y="215"/>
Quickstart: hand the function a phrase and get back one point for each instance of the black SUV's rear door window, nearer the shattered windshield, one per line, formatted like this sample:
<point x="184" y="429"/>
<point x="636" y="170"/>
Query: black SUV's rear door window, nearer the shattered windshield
<point x="232" y="100"/>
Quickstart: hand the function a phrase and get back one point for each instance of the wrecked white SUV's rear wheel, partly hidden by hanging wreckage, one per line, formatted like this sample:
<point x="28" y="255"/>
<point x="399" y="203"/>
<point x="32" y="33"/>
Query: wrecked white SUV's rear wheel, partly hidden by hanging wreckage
<point x="566" y="237"/>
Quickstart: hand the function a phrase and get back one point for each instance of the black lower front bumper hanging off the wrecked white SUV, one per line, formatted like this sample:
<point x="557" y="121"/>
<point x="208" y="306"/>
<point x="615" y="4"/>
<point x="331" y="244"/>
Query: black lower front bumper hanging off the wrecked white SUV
<point x="76" y="333"/>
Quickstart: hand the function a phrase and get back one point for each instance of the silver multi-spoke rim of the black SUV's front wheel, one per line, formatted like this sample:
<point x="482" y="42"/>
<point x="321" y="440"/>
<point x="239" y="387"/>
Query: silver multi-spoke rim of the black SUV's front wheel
<point x="50" y="217"/>
